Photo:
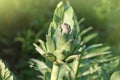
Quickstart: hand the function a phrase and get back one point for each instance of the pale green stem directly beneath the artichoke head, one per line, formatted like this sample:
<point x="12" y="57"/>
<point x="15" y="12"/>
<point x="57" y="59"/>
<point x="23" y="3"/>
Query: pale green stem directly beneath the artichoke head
<point x="55" y="71"/>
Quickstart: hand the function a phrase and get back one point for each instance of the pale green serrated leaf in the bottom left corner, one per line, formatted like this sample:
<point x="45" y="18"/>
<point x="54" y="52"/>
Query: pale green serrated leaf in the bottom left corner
<point x="5" y="73"/>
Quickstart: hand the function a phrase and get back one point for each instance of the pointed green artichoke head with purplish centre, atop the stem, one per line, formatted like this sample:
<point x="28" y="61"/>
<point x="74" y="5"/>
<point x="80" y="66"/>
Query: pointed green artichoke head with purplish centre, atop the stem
<point x="61" y="38"/>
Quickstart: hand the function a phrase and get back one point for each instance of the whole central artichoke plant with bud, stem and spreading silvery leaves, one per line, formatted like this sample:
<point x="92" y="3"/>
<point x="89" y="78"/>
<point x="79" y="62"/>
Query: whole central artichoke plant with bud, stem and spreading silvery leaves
<point x="66" y="52"/>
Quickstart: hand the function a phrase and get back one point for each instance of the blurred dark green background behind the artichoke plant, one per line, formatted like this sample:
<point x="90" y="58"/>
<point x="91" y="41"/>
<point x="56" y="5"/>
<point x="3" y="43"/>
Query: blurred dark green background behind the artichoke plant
<point x="23" y="22"/>
